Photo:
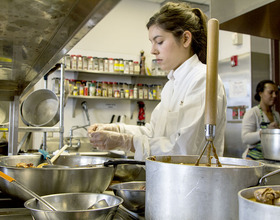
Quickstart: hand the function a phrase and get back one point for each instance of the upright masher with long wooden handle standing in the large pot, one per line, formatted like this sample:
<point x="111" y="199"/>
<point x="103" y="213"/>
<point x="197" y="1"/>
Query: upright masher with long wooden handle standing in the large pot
<point x="211" y="90"/>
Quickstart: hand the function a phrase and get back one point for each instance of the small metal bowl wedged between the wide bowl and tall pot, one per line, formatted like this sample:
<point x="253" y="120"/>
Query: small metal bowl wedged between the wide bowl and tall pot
<point x="133" y="194"/>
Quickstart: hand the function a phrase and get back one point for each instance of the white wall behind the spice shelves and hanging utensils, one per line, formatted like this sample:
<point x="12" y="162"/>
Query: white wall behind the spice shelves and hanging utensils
<point x="122" y="34"/>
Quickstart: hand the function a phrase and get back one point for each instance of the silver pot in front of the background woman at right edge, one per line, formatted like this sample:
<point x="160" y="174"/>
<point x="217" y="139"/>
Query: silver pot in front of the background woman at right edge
<point x="270" y="141"/>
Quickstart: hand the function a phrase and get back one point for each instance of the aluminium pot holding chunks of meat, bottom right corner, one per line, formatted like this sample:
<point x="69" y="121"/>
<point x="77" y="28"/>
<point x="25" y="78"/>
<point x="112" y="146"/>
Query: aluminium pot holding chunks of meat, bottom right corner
<point x="249" y="209"/>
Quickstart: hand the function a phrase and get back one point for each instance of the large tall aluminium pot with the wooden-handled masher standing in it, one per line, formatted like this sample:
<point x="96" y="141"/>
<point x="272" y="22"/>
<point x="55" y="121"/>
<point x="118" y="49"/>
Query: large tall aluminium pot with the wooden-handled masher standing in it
<point x="175" y="190"/>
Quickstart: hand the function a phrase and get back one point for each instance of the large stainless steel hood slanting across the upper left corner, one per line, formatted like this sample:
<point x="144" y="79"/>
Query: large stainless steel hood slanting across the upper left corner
<point x="36" y="34"/>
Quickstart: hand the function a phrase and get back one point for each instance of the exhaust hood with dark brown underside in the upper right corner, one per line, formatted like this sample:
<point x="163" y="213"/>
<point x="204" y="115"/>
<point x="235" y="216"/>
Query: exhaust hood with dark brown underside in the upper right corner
<point x="253" y="17"/>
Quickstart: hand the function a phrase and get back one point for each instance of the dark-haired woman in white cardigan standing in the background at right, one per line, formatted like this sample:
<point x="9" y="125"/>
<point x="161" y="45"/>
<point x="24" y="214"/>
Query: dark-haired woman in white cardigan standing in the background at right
<point x="260" y="117"/>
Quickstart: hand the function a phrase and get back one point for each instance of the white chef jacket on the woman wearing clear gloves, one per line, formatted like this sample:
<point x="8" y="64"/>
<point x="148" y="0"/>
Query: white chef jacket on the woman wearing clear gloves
<point x="177" y="123"/>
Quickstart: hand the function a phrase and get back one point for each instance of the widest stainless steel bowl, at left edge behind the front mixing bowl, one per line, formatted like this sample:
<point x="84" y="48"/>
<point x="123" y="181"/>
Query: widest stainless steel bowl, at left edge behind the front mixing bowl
<point x="45" y="181"/>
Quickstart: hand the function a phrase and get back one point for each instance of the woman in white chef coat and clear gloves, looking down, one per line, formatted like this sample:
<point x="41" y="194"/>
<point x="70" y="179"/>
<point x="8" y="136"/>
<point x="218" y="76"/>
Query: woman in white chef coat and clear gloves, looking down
<point x="178" y="34"/>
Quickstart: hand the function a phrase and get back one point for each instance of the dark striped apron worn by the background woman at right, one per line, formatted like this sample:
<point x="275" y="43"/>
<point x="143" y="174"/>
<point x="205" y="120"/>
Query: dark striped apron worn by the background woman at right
<point x="255" y="153"/>
